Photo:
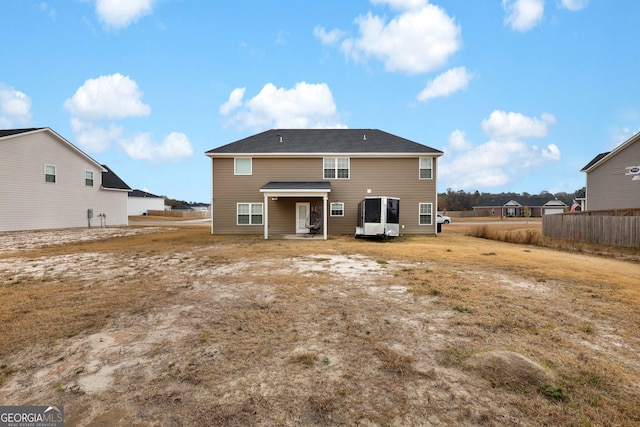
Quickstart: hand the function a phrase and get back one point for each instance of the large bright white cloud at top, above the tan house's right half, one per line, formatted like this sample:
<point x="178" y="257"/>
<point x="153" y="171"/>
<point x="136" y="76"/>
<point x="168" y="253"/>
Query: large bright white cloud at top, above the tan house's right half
<point x="418" y="40"/>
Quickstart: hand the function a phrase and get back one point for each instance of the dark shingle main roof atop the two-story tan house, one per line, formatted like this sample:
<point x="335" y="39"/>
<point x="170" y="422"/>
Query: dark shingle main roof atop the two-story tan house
<point x="294" y="141"/>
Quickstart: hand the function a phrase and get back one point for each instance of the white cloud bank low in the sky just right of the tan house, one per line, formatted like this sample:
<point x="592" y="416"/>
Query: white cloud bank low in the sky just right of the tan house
<point x="501" y="160"/>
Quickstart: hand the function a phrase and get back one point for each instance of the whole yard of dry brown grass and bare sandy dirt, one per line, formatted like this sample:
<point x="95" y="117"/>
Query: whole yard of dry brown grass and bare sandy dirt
<point x="170" y="326"/>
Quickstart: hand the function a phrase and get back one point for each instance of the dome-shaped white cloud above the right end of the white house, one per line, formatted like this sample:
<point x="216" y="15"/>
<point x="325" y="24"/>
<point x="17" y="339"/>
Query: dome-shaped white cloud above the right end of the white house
<point x="107" y="97"/>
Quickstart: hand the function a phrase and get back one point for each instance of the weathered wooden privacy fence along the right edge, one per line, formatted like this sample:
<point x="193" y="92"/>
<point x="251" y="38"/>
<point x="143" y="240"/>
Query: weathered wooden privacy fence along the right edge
<point x="615" y="228"/>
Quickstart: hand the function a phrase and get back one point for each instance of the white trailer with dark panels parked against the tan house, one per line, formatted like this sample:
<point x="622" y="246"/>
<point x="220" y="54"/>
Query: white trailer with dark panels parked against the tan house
<point x="378" y="217"/>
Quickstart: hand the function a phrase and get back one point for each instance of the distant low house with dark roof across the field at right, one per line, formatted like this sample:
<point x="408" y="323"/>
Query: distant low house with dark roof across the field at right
<point x="520" y="206"/>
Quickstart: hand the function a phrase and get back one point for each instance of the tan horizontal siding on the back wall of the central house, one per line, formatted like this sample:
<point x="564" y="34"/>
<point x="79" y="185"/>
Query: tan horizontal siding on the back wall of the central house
<point x="396" y="177"/>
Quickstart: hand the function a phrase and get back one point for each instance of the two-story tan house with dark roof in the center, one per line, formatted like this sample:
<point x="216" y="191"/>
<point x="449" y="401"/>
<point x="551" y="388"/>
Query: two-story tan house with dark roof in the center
<point x="273" y="182"/>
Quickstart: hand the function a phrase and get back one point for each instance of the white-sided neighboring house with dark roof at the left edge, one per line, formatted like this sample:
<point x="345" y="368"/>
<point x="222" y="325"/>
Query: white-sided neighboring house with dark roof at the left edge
<point x="46" y="182"/>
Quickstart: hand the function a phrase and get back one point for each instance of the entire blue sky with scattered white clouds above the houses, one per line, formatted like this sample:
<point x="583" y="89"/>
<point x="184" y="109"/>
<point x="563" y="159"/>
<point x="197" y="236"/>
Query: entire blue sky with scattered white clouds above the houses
<point x="519" y="94"/>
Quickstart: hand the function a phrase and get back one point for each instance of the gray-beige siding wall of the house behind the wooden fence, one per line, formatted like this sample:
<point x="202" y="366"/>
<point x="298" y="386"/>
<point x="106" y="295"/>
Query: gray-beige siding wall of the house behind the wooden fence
<point x="609" y="188"/>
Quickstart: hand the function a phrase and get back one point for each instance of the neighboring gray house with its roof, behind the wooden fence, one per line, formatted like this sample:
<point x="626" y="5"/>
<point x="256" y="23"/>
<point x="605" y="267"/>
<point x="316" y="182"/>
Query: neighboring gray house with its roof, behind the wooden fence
<point x="613" y="178"/>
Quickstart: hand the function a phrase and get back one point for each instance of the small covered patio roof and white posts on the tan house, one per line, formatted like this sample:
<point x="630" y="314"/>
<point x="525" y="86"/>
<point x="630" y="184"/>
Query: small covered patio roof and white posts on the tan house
<point x="274" y="190"/>
